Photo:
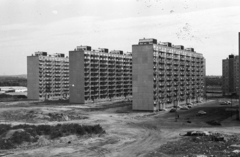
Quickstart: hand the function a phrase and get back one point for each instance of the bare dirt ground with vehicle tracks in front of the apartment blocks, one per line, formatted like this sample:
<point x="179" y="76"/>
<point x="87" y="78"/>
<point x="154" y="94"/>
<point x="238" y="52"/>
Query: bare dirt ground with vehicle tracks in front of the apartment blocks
<point x="128" y="133"/>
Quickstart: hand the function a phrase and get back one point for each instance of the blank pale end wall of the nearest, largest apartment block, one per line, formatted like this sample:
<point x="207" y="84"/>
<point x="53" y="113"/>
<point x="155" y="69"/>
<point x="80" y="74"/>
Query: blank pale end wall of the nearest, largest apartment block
<point x="142" y="77"/>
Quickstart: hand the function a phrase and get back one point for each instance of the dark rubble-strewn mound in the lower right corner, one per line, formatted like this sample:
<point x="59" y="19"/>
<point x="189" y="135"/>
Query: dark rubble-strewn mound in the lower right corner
<point x="204" y="143"/>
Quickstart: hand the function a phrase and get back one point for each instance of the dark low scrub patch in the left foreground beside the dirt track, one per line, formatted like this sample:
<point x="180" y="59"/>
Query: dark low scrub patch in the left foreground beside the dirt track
<point x="12" y="136"/>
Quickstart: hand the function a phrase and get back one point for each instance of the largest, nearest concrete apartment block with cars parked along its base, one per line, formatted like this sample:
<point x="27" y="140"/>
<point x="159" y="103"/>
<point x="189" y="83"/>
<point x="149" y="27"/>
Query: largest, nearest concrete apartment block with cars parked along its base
<point x="166" y="75"/>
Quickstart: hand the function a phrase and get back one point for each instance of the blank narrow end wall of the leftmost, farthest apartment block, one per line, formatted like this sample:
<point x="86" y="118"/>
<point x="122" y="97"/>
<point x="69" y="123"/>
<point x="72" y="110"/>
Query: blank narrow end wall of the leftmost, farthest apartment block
<point x="33" y="77"/>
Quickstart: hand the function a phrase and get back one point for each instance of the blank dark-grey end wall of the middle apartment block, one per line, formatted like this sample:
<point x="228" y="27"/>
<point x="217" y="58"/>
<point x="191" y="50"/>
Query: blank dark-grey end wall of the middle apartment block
<point x="76" y="76"/>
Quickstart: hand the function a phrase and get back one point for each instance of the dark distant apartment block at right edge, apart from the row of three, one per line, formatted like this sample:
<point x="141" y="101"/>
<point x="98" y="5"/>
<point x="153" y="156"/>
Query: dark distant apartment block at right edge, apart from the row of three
<point x="230" y="75"/>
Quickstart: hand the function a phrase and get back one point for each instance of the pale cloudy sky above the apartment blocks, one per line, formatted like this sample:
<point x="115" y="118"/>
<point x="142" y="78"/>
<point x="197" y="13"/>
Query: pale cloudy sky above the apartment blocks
<point x="57" y="26"/>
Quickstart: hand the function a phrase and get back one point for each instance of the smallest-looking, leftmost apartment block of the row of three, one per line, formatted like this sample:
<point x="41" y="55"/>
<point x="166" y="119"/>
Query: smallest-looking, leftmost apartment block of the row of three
<point x="47" y="76"/>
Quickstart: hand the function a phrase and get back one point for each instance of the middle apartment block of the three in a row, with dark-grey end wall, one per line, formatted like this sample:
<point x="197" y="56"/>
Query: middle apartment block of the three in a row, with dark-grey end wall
<point x="99" y="75"/>
